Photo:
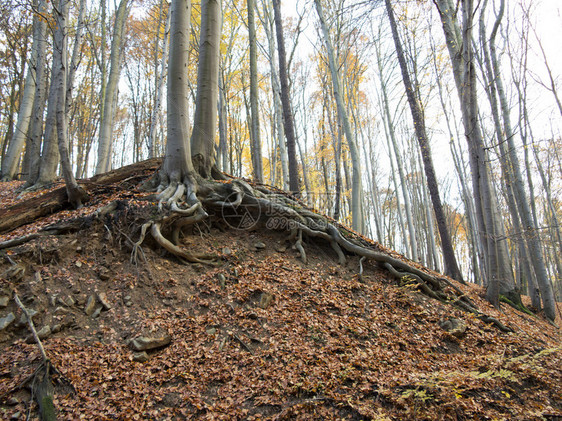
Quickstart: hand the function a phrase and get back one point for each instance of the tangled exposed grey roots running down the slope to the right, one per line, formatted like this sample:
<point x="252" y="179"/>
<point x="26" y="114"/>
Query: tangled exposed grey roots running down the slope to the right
<point x="185" y="204"/>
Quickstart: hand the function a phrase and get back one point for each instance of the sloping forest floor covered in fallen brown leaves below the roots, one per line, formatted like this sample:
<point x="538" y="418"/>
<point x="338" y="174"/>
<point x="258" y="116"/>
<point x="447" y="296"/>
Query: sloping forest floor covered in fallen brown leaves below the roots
<point x="259" y="336"/>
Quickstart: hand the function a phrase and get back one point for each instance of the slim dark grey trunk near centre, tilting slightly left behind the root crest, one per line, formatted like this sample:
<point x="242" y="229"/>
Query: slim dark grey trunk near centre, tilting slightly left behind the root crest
<point x="294" y="184"/>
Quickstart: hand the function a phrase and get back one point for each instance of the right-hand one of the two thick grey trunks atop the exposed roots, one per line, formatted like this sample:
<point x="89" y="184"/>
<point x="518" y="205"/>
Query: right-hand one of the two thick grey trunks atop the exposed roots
<point x="204" y="121"/>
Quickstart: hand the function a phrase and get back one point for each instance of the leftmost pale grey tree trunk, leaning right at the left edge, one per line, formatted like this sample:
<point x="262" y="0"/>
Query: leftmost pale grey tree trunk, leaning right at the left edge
<point x="11" y="159"/>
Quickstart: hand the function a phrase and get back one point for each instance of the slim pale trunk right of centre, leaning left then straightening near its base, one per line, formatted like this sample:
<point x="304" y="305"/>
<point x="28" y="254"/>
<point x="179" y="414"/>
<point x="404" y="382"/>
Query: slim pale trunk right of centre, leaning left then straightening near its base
<point x="356" y="190"/>
